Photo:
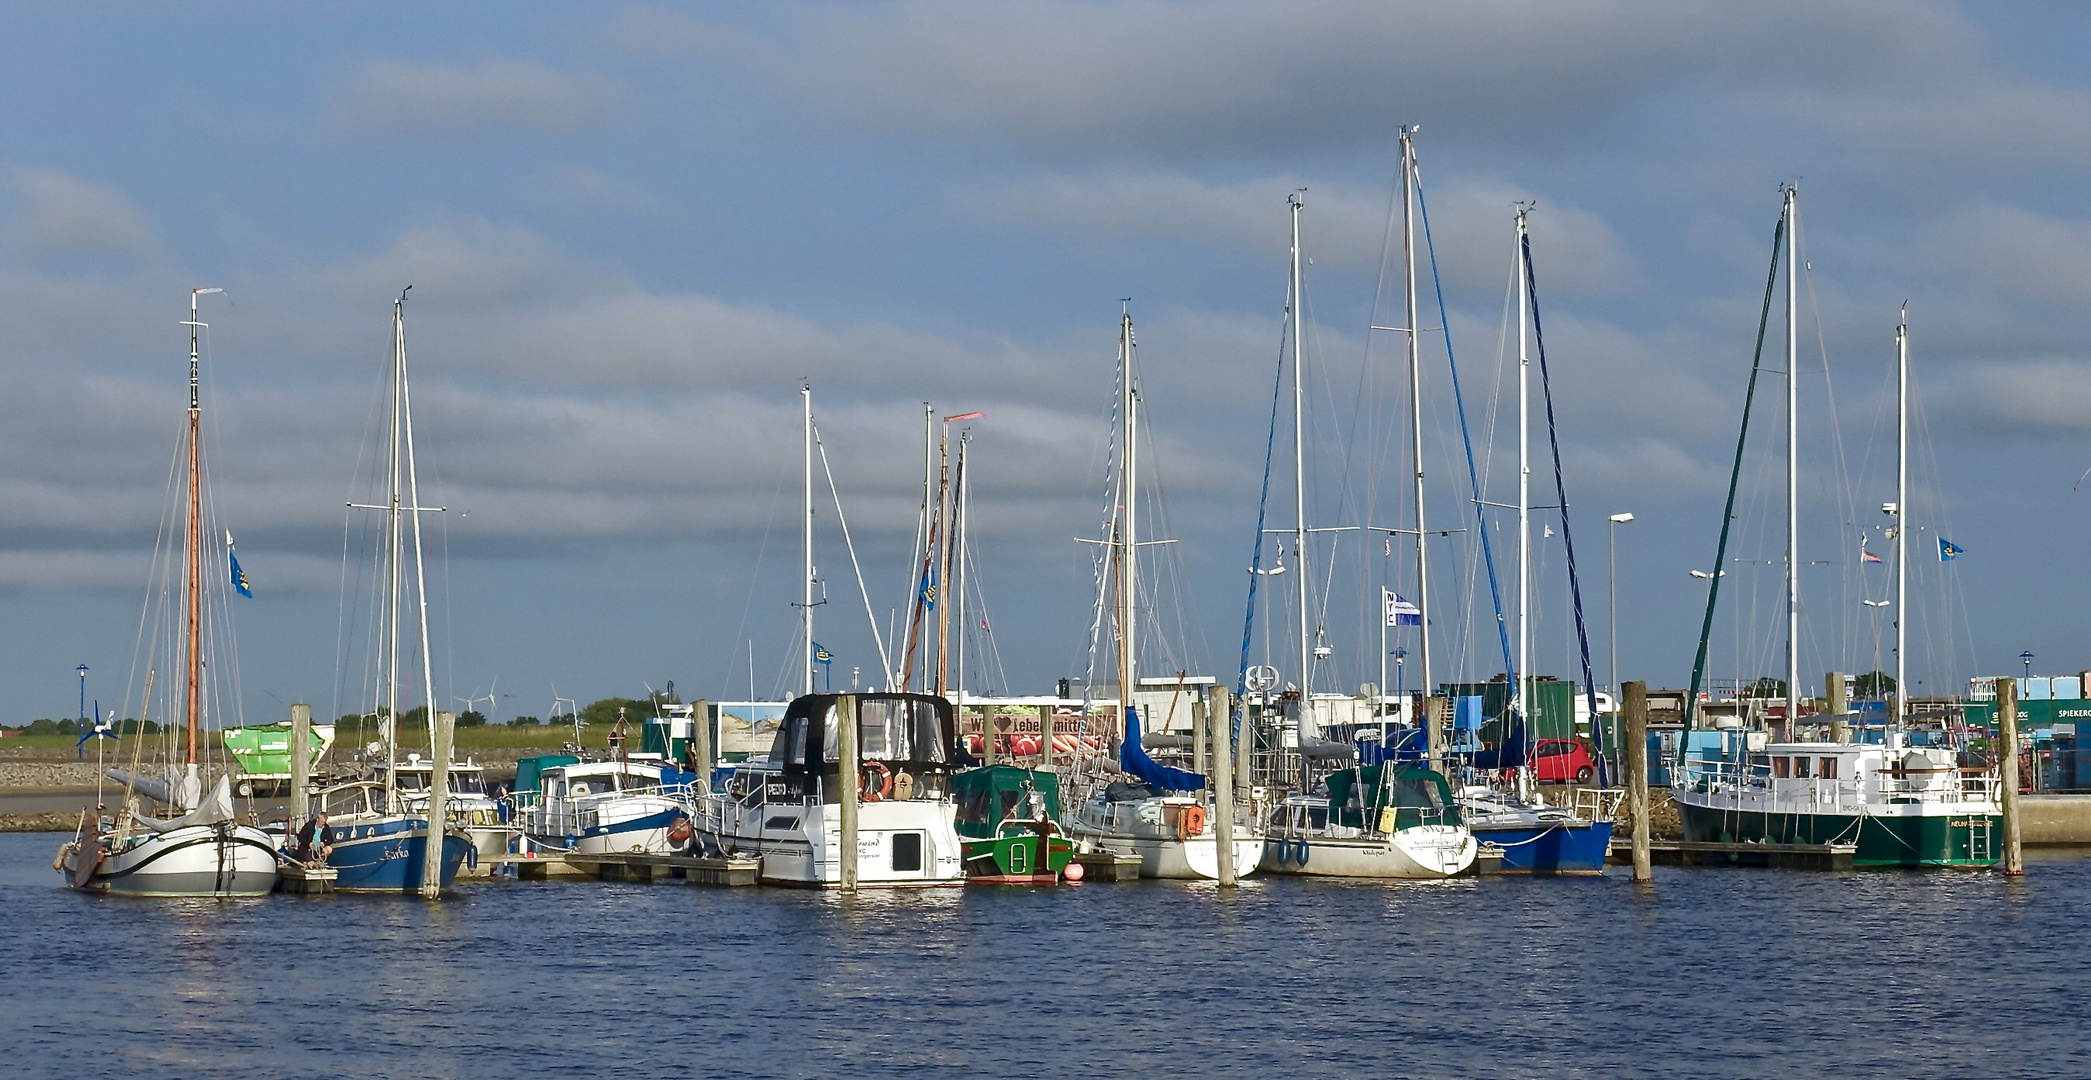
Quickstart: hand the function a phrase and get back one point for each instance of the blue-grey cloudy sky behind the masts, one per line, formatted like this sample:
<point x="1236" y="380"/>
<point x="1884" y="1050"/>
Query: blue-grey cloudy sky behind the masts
<point x="635" y="231"/>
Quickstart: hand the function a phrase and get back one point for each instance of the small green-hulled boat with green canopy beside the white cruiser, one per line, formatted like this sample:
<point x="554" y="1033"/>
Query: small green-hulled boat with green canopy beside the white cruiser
<point x="1009" y="826"/>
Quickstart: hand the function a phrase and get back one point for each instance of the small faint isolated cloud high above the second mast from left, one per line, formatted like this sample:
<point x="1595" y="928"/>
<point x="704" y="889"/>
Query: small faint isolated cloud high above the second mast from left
<point x="392" y="97"/>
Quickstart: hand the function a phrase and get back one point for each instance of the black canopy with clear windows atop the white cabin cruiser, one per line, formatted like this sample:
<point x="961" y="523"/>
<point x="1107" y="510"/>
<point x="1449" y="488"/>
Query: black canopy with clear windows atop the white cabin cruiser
<point x="904" y="732"/>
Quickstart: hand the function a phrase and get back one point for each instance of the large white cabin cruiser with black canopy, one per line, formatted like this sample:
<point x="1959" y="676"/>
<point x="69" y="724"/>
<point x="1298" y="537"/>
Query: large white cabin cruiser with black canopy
<point x="785" y="809"/>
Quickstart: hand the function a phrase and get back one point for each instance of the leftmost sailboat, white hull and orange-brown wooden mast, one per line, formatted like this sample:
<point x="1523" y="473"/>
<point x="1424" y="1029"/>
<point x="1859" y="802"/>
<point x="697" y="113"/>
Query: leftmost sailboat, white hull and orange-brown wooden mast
<point x="200" y="849"/>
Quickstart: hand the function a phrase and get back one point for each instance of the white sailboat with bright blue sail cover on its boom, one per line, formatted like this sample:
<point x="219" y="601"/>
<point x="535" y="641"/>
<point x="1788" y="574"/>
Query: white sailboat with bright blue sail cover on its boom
<point x="1157" y="813"/>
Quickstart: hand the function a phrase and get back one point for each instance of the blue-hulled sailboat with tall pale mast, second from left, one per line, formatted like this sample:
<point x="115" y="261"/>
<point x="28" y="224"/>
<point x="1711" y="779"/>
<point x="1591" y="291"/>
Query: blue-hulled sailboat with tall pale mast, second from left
<point x="382" y="842"/>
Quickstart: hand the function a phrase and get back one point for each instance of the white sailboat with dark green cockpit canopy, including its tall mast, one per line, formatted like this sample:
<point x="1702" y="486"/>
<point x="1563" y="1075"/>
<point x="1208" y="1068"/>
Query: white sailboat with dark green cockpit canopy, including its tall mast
<point x="1389" y="819"/>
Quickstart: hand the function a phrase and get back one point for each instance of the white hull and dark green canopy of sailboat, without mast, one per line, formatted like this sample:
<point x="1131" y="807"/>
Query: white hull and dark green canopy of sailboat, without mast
<point x="1394" y="822"/>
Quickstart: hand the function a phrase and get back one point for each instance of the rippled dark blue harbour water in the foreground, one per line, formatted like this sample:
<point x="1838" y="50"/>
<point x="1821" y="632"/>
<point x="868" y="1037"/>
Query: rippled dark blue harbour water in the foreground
<point x="1709" y="974"/>
